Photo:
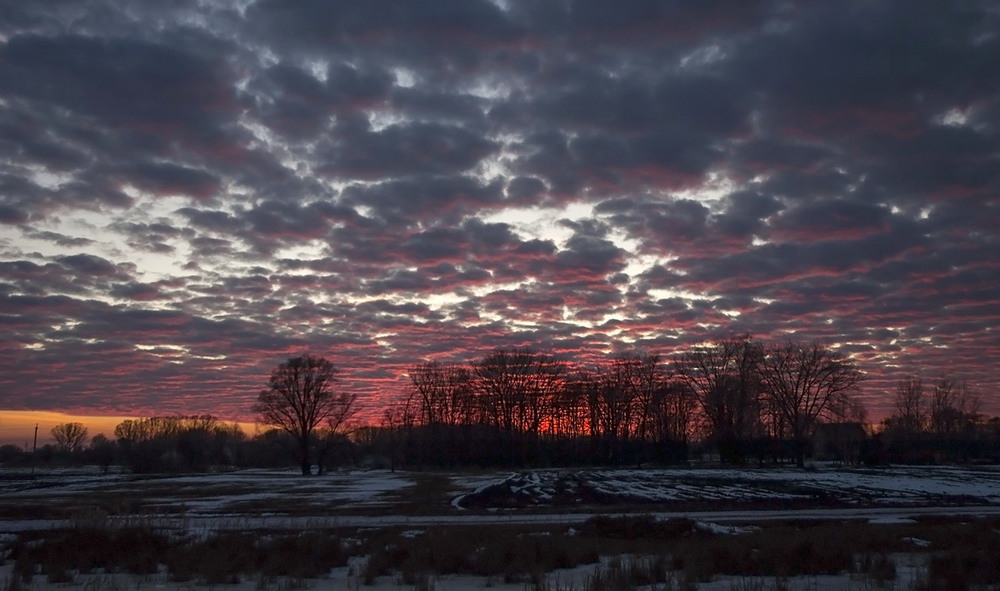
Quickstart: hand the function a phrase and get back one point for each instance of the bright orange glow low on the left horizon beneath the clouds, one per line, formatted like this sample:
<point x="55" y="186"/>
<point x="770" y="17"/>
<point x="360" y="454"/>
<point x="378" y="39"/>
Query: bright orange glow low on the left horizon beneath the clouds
<point x="17" y="427"/>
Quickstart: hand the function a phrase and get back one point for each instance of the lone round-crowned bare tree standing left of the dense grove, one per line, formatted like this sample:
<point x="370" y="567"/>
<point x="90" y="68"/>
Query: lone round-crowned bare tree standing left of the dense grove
<point x="298" y="398"/>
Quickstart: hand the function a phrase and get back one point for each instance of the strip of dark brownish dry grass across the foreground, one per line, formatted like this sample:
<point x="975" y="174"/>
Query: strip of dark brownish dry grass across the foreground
<point x="638" y="551"/>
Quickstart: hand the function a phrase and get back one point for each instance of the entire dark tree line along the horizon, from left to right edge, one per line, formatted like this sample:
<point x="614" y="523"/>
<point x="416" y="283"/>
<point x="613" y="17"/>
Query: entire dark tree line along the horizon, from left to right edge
<point x="741" y="398"/>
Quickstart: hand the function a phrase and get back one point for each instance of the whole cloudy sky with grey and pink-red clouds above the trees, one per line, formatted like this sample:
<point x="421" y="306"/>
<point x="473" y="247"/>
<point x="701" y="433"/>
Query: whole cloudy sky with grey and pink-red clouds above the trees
<point x="191" y="192"/>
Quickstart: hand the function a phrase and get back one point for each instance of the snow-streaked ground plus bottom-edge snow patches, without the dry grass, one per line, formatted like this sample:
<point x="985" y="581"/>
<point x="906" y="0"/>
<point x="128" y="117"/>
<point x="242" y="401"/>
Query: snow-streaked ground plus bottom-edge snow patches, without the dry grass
<point x="721" y="500"/>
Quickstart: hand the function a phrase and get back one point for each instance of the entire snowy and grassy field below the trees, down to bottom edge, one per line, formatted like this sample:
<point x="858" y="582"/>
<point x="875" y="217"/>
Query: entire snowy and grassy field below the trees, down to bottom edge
<point x="697" y="528"/>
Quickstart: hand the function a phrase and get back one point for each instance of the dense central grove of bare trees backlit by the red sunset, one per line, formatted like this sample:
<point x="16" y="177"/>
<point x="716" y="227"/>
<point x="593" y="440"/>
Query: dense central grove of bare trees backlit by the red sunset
<point x="522" y="406"/>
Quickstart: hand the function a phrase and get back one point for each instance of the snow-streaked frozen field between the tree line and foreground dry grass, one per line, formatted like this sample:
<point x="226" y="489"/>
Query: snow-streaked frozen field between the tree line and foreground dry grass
<point x="257" y="493"/>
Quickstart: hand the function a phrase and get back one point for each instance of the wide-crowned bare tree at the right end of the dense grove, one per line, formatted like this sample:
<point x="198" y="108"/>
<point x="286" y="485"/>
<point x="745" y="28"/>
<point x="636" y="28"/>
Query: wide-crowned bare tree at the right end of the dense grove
<point x="804" y="384"/>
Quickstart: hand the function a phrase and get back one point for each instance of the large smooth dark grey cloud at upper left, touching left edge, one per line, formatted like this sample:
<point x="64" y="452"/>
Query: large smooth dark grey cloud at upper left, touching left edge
<point x="120" y="83"/>
